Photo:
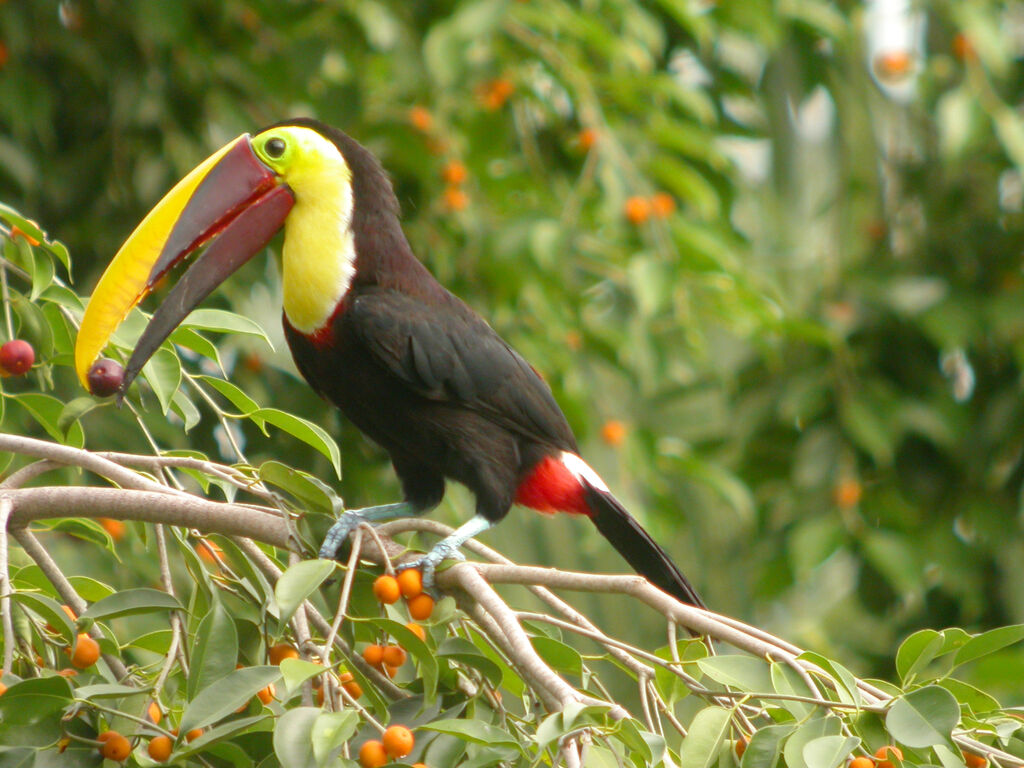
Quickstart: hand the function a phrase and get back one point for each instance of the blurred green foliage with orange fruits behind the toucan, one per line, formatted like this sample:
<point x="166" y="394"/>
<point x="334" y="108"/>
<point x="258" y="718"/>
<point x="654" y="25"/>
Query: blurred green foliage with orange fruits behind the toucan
<point x="816" y="354"/>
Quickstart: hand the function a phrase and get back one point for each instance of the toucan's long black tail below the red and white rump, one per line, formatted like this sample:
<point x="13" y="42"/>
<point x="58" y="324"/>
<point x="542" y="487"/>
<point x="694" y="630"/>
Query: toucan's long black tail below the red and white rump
<point x="635" y="544"/>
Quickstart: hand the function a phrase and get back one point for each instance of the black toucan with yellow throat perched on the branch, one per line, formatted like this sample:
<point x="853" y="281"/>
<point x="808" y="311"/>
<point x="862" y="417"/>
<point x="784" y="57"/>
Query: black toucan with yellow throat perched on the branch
<point x="372" y="331"/>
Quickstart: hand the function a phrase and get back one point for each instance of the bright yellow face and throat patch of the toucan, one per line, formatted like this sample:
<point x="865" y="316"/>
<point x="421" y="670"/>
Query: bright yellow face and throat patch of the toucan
<point x="319" y="252"/>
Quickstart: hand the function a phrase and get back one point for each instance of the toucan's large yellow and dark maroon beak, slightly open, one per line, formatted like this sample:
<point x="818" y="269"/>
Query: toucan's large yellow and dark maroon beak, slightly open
<point x="233" y="203"/>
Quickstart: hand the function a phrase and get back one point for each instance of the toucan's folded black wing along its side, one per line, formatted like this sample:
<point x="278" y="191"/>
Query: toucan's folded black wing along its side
<point x="445" y="352"/>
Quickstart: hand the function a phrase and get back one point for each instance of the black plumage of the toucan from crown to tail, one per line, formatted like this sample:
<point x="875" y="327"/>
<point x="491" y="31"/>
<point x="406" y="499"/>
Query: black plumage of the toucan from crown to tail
<point x="424" y="376"/>
